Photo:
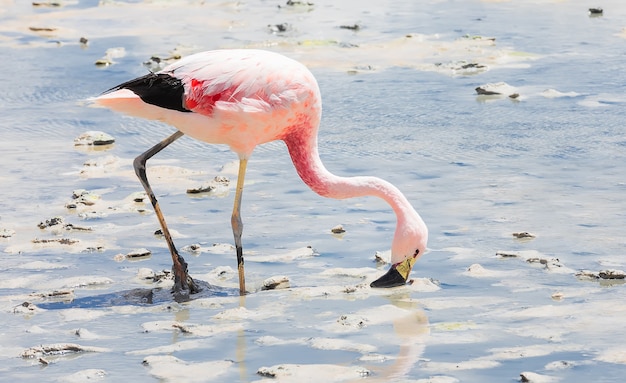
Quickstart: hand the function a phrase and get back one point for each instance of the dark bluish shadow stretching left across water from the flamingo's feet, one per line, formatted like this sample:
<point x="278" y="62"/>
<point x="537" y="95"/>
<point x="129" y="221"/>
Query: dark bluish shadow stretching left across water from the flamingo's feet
<point x="139" y="297"/>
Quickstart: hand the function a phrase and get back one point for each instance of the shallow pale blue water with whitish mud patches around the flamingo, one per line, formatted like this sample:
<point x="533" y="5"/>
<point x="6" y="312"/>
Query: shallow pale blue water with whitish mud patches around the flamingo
<point x="476" y="168"/>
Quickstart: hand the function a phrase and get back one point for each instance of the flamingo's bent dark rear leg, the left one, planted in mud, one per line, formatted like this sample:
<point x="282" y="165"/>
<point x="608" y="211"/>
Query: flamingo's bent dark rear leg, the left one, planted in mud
<point x="183" y="284"/>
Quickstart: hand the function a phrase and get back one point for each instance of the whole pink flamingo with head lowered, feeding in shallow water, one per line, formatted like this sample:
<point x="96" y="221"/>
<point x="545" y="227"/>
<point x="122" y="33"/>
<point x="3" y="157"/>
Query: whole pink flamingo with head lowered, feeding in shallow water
<point x="244" y="98"/>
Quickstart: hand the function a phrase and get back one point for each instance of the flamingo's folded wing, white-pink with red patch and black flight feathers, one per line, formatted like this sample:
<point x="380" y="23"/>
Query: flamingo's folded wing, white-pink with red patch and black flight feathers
<point x="235" y="80"/>
